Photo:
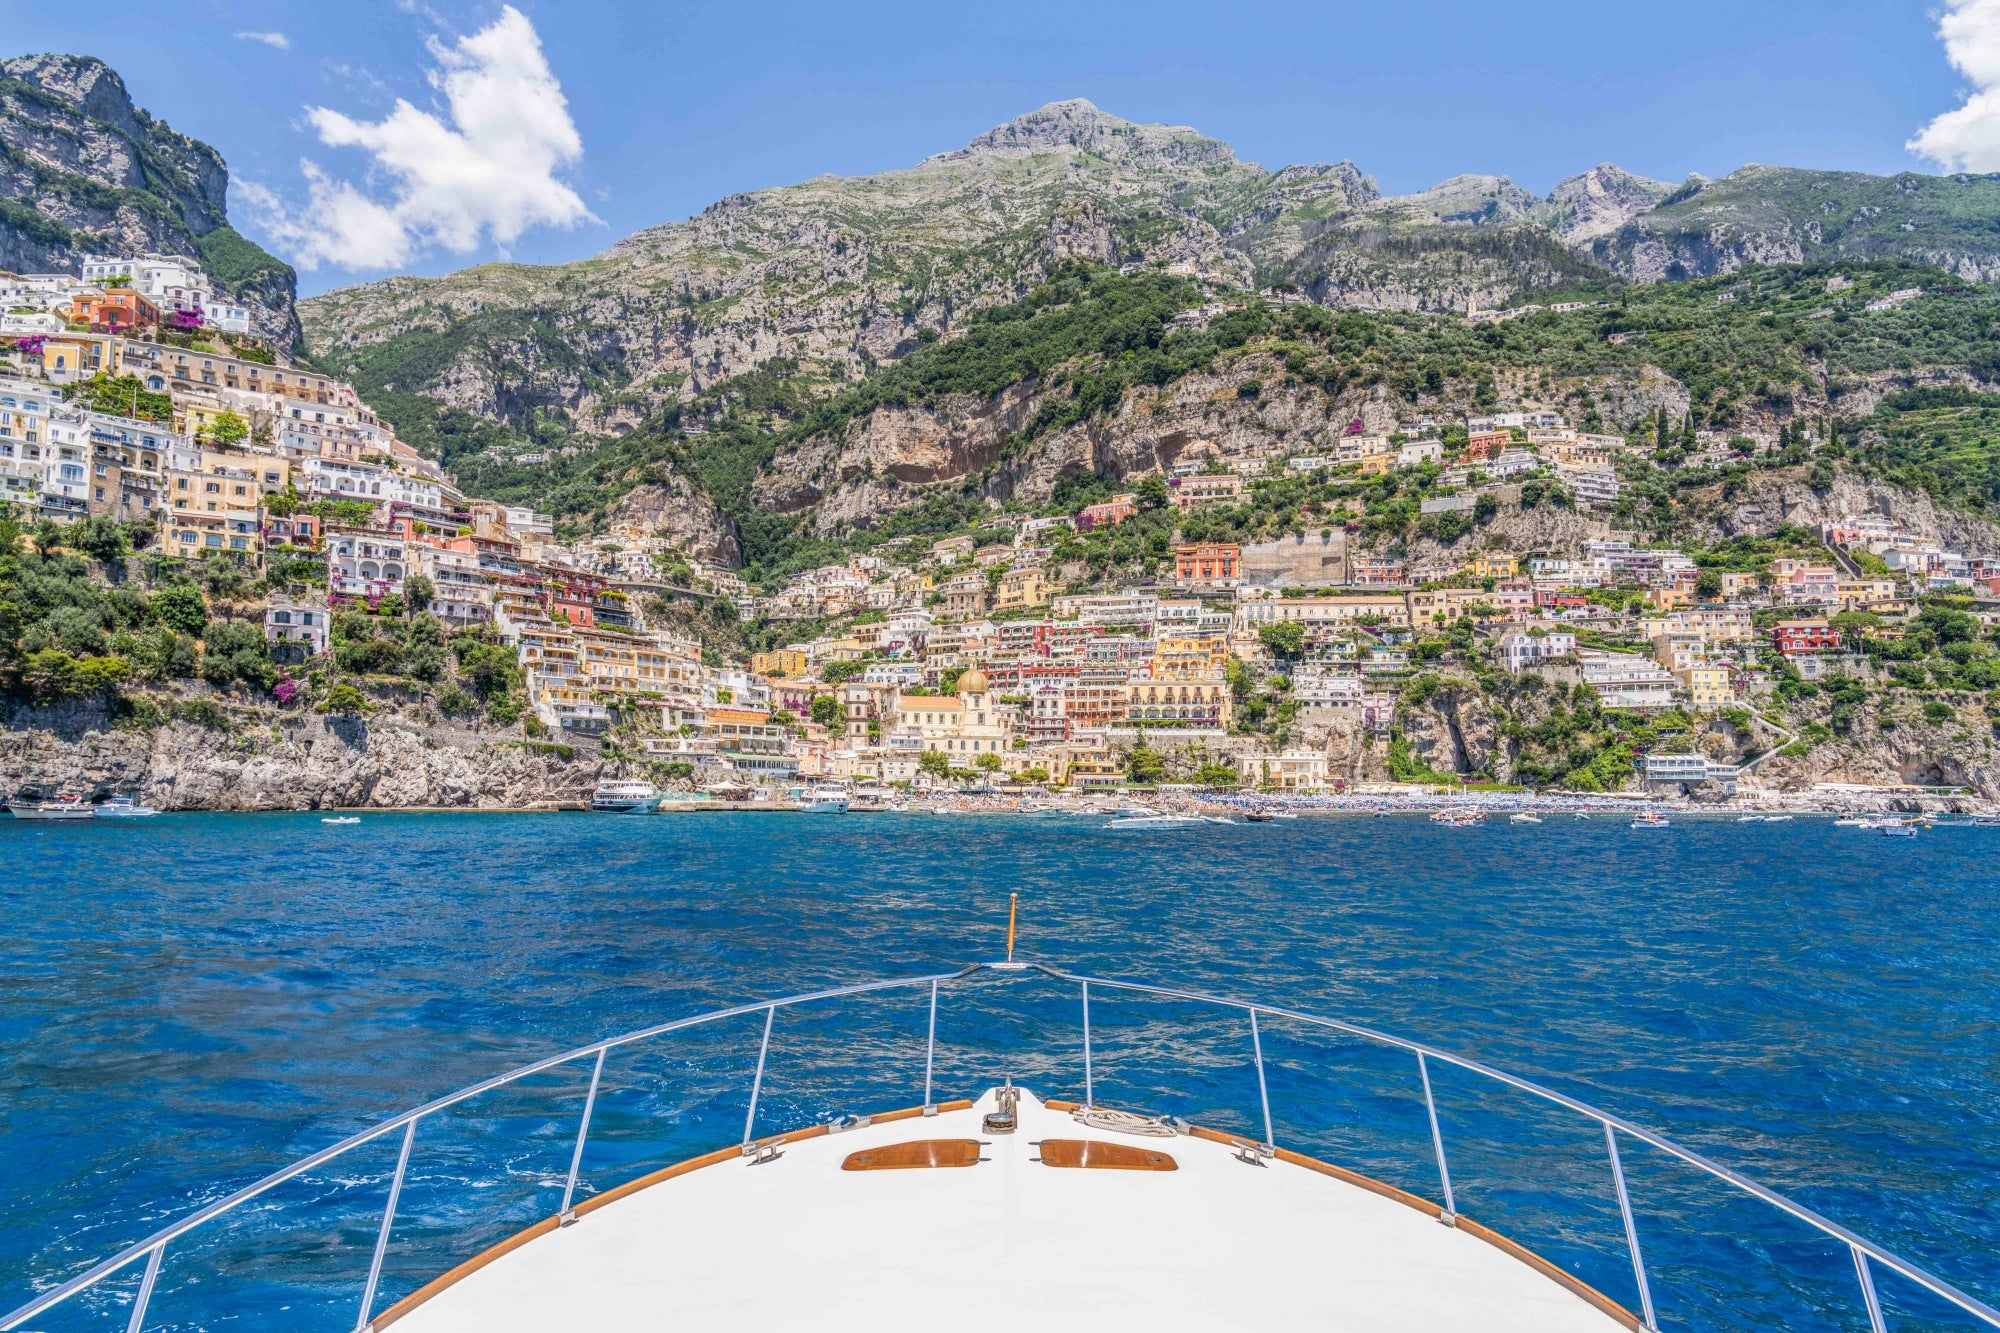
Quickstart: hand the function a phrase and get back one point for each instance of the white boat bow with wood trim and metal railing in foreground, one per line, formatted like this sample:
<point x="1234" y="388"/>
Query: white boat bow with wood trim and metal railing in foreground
<point x="1011" y="1206"/>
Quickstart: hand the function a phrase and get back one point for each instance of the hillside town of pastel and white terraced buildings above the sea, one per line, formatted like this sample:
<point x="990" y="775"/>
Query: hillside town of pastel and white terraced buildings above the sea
<point x="1001" y="655"/>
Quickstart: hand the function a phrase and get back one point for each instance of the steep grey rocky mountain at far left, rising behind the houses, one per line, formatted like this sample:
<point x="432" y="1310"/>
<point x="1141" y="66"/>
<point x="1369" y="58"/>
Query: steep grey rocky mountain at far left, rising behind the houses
<point x="87" y="171"/>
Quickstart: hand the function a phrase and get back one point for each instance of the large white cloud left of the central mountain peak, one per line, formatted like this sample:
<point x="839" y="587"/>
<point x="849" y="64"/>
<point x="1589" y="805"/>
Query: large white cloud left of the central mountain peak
<point x="487" y="173"/>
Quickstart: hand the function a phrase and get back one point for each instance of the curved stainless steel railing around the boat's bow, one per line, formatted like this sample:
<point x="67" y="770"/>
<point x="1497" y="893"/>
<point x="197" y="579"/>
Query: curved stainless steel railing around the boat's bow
<point x="1865" y="1254"/>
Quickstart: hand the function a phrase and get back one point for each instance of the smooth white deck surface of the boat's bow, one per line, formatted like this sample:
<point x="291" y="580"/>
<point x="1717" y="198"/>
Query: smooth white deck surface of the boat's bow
<point x="801" y="1244"/>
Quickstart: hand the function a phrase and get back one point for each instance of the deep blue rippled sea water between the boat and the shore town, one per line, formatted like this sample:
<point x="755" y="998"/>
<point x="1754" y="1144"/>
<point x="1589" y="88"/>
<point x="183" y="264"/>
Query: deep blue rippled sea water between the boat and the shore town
<point x="197" y="1000"/>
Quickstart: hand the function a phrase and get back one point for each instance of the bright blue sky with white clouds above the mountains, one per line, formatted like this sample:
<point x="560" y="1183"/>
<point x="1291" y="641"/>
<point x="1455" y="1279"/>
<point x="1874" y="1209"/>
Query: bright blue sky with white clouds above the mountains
<point x="377" y="137"/>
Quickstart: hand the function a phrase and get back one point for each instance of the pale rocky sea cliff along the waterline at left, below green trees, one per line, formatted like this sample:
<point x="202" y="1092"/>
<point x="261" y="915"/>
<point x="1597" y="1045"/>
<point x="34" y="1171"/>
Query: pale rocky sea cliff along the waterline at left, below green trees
<point x="269" y="762"/>
